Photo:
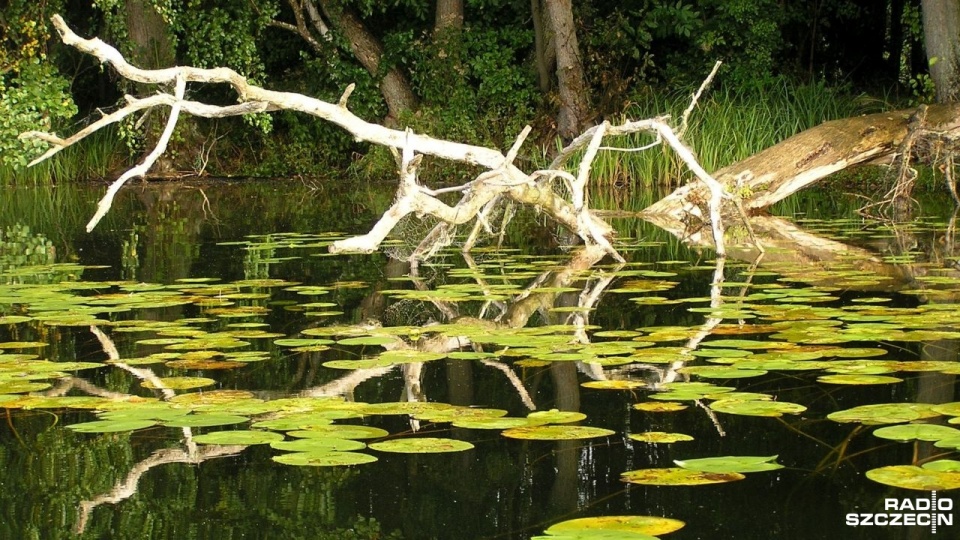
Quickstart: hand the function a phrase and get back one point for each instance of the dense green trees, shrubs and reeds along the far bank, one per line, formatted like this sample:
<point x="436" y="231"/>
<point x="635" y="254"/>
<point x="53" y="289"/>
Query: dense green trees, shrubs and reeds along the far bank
<point x="474" y="72"/>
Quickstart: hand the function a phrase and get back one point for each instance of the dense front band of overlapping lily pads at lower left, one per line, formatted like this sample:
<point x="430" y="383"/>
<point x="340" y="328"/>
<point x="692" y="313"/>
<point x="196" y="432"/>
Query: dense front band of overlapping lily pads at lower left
<point x="307" y="427"/>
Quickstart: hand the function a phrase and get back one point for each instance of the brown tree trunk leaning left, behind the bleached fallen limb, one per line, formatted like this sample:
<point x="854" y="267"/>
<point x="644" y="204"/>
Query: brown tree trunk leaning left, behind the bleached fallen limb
<point x="394" y="85"/>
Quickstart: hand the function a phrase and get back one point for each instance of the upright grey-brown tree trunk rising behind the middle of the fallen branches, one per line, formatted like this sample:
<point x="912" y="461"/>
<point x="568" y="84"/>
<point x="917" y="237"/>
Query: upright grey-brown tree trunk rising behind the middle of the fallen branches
<point x="574" y="93"/>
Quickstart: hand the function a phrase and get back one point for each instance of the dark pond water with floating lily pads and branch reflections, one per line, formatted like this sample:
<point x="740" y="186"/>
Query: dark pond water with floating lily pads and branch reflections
<point x="212" y="281"/>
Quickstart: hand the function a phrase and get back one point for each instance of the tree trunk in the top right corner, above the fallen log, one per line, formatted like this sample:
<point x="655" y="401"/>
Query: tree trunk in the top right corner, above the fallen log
<point x="941" y="37"/>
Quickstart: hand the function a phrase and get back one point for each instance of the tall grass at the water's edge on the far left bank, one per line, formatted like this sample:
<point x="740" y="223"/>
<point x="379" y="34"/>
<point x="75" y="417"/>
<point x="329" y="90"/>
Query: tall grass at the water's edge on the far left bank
<point x="97" y="156"/>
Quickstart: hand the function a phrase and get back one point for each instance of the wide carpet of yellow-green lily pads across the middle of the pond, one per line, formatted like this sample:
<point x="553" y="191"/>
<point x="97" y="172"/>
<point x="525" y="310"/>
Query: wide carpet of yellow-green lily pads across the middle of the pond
<point x="802" y="329"/>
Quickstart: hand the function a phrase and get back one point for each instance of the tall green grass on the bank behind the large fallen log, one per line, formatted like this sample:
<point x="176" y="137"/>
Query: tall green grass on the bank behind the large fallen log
<point x="727" y="126"/>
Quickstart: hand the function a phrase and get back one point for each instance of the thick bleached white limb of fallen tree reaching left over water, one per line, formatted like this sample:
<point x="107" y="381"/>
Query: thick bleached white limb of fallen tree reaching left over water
<point x="503" y="180"/>
